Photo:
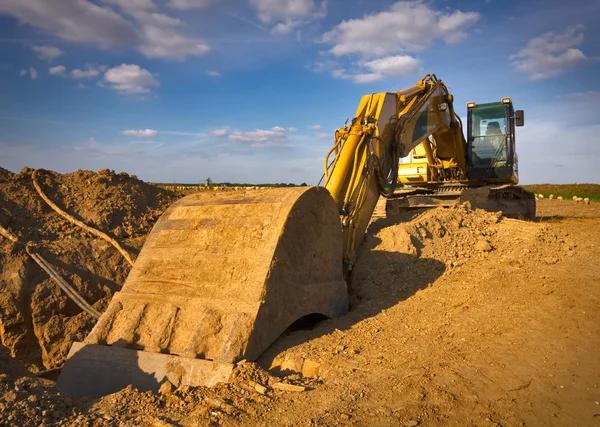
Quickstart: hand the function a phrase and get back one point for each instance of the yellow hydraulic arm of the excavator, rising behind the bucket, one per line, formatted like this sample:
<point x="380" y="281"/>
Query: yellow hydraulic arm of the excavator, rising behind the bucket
<point x="363" y="162"/>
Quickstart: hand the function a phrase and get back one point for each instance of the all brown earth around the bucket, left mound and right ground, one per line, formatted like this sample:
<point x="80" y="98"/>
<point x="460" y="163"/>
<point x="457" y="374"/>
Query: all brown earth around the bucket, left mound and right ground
<point x="458" y="317"/>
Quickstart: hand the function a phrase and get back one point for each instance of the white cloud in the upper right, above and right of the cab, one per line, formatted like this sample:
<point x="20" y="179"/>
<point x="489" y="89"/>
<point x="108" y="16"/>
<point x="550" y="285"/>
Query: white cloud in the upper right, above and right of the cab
<point x="550" y="54"/>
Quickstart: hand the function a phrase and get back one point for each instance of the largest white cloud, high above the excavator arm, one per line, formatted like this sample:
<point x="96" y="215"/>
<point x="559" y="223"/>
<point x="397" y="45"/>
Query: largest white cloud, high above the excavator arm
<point x="408" y="26"/>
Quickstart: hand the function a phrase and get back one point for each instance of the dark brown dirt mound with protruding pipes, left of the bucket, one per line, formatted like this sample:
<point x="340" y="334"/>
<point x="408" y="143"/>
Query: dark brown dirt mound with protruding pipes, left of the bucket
<point x="37" y="321"/>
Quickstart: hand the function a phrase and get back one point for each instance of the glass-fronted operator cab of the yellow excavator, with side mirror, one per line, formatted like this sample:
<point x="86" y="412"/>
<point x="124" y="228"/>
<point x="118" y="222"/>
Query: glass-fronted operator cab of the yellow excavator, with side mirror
<point x="491" y="141"/>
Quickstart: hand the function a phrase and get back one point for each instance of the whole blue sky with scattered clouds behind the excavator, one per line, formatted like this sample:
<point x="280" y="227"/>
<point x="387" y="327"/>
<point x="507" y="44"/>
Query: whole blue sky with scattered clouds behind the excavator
<point x="252" y="90"/>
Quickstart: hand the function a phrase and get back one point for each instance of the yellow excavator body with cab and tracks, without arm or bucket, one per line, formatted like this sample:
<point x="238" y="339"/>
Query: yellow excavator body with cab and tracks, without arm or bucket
<point x="483" y="169"/>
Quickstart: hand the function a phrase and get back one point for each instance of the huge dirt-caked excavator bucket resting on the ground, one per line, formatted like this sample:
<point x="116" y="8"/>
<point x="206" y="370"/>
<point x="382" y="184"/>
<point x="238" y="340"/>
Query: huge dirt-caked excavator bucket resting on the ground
<point x="220" y="277"/>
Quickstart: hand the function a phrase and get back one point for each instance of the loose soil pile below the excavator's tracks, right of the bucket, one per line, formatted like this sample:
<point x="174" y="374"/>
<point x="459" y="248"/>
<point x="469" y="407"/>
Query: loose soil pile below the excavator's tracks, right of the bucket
<point x="412" y="251"/>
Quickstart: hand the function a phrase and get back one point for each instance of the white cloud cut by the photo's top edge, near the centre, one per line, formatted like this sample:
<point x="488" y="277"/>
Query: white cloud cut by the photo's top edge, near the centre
<point x="288" y="14"/>
